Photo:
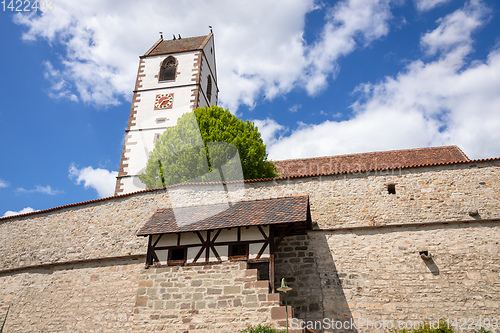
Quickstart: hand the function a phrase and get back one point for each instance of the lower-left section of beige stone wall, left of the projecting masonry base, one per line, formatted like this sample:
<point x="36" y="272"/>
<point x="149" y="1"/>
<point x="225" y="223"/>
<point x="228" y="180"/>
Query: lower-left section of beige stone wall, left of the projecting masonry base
<point x="87" y="297"/>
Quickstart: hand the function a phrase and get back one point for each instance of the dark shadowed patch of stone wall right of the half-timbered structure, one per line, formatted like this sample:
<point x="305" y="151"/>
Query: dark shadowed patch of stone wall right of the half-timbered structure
<point x="317" y="294"/>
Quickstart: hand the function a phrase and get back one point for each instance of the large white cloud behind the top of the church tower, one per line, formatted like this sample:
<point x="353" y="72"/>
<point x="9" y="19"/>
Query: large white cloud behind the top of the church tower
<point x="257" y="55"/>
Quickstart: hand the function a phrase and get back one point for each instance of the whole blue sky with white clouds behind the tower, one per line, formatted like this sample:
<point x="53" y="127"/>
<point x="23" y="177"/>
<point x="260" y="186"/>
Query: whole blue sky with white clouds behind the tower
<point x="318" y="78"/>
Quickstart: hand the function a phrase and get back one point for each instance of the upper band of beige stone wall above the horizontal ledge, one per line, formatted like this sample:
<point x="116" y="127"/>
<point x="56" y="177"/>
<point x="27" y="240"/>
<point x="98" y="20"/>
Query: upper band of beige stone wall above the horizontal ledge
<point x="107" y="228"/>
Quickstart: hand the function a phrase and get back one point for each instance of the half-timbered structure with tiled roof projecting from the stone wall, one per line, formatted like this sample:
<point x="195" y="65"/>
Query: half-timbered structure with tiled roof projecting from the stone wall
<point x="247" y="230"/>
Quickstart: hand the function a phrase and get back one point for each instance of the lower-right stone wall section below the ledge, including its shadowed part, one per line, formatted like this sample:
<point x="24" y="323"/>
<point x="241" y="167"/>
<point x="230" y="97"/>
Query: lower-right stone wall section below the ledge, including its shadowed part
<point x="377" y="275"/>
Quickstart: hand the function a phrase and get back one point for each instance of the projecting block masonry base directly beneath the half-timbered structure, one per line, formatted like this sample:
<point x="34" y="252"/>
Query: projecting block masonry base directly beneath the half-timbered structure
<point x="224" y="297"/>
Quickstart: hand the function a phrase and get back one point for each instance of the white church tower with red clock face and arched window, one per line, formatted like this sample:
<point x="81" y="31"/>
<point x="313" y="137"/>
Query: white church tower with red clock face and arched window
<point x="174" y="77"/>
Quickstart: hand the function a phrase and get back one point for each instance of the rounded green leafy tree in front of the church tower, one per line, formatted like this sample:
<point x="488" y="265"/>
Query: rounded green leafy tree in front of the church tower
<point x="202" y="145"/>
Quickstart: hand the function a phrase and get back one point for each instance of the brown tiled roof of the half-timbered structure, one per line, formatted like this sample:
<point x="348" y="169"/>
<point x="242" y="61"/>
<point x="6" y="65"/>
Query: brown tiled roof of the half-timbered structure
<point x="217" y="216"/>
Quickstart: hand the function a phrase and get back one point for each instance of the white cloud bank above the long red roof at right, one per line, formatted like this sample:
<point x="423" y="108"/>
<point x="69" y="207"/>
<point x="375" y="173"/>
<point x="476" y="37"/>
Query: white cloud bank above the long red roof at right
<point x="441" y="102"/>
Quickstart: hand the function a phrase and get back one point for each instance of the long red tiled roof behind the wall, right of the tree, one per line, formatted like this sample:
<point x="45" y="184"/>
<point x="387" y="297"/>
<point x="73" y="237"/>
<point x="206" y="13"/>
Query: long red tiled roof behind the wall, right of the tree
<point x="382" y="160"/>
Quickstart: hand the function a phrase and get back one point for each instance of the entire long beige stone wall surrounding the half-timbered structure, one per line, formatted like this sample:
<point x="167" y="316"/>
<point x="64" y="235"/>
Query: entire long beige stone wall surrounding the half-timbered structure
<point x="357" y="267"/>
